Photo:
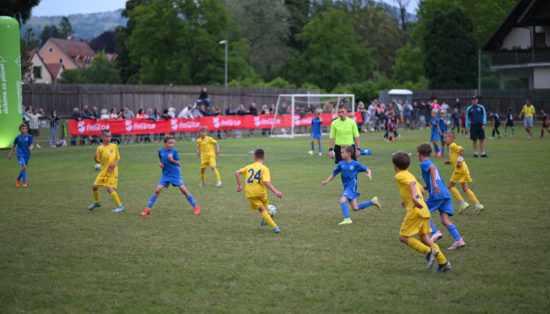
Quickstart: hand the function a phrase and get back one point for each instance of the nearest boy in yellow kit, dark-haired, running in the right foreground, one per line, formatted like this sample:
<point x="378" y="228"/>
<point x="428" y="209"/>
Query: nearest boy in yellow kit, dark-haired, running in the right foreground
<point x="417" y="220"/>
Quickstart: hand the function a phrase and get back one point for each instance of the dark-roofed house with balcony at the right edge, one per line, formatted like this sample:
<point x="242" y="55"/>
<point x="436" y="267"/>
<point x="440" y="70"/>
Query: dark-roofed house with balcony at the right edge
<point x="520" y="46"/>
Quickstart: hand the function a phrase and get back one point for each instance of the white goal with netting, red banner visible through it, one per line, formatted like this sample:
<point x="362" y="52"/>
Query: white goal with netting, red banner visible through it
<point x="293" y="112"/>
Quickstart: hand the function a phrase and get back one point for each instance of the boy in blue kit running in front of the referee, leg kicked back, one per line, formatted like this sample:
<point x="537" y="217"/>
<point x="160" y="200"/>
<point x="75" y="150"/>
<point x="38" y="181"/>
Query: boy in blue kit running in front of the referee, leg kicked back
<point x="350" y="169"/>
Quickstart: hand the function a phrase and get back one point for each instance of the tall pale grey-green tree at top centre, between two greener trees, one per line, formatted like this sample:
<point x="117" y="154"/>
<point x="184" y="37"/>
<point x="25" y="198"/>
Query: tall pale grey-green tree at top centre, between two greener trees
<point x="265" y="25"/>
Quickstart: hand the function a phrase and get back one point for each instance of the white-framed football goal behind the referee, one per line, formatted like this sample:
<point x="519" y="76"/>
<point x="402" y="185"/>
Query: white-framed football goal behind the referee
<point x="299" y="105"/>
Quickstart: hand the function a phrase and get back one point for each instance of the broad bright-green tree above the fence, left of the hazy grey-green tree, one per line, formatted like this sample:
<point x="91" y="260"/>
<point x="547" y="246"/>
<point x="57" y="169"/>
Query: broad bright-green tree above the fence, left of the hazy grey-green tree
<point x="176" y="42"/>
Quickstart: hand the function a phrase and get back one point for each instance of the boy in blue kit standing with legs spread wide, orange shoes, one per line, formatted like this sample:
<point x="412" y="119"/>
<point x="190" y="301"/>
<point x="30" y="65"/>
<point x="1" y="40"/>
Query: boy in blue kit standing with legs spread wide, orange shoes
<point x="169" y="161"/>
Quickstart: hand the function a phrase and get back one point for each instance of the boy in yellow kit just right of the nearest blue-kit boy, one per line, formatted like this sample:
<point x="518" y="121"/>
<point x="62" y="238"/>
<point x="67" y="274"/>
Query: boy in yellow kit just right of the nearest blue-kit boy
<point x="461" y="174"/>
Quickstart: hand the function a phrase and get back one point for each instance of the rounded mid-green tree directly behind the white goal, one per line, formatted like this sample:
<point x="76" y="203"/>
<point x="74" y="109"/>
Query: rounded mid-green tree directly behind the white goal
<point x="333" y="52"/>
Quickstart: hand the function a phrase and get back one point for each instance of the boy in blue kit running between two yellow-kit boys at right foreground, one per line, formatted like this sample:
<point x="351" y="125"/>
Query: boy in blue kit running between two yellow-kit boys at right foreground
<point x="440" y="198"/>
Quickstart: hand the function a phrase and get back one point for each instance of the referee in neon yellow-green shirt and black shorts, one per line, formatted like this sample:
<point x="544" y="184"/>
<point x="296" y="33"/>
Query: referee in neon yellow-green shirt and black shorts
<point x="343" y="131"/>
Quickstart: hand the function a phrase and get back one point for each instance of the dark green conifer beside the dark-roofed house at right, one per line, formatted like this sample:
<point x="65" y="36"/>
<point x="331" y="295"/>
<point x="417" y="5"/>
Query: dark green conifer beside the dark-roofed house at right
<point x="450" y="58"/>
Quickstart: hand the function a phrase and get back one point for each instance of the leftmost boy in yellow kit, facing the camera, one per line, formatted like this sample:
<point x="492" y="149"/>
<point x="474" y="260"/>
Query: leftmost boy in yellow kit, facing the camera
<point x="107" y="154"/>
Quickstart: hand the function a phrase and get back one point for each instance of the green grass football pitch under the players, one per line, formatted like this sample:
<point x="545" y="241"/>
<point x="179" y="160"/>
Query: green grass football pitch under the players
<point x="55" y="256"/>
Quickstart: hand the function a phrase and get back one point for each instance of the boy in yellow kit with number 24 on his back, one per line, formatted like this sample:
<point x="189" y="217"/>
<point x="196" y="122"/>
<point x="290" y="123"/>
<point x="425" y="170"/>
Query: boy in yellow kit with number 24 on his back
<point x="257" y="179"/>
